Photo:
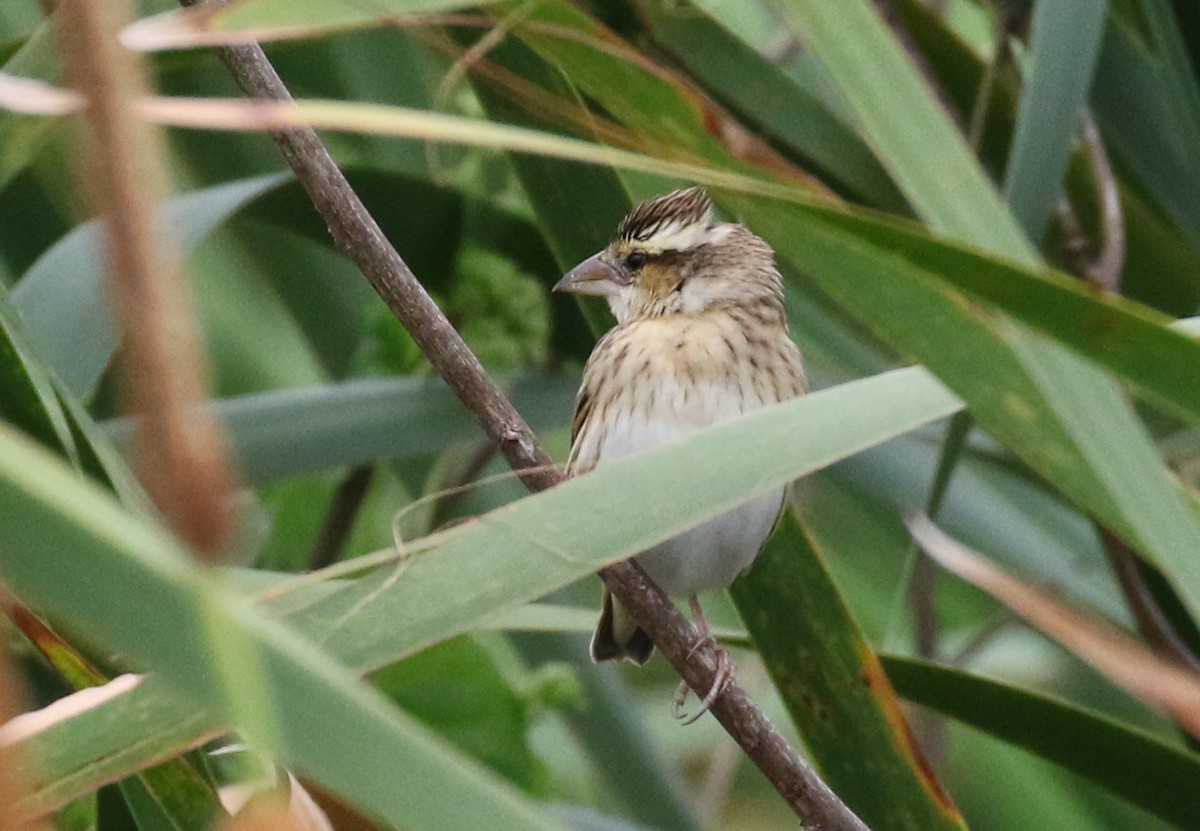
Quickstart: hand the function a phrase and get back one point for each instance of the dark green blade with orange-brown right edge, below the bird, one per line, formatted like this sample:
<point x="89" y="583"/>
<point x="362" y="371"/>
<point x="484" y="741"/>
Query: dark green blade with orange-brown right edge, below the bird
<point x="836" y="689"/>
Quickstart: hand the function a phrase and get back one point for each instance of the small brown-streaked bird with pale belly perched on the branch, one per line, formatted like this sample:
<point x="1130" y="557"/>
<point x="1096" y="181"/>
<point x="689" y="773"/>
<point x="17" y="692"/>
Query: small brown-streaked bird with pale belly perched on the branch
<point x="701" y="337"/>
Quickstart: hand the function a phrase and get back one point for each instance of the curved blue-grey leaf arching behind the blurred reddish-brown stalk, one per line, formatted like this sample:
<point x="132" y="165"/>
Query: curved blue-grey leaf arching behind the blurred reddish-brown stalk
<point x="59" y="300"/>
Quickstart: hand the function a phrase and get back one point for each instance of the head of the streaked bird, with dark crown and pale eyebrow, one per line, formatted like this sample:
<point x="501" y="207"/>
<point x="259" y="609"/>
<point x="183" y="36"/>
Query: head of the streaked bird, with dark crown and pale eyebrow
<point x="671" y="258"/>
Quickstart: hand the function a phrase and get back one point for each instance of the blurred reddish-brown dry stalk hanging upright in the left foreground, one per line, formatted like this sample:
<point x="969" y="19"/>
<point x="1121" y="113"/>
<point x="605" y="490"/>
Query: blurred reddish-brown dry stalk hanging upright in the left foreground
<point x="181" y="453"/>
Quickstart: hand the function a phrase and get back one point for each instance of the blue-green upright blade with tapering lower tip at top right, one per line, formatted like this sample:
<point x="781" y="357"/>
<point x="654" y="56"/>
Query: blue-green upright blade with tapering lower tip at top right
<point x="1064" y="47"/>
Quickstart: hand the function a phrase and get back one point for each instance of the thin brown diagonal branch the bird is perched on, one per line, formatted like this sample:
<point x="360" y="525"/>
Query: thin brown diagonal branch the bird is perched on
<point x="358" y="236"/>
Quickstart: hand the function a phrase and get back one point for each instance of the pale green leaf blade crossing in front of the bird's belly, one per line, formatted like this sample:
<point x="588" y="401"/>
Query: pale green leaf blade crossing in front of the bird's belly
<point x="758" y="452"/>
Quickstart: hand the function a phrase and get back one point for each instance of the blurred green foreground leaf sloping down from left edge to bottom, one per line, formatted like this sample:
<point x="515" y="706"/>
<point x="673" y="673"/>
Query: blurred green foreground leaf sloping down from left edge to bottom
<point x="227" y="659"/>
